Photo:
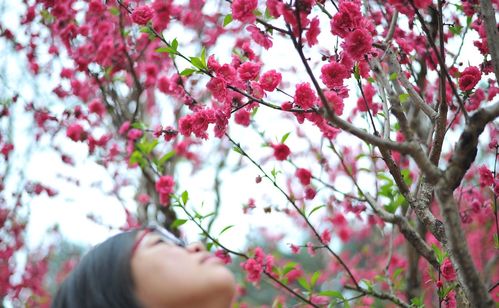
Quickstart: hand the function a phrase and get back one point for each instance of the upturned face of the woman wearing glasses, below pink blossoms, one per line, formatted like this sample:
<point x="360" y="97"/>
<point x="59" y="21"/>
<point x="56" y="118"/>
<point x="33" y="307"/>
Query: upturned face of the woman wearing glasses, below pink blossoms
<point x="167" y="275"/>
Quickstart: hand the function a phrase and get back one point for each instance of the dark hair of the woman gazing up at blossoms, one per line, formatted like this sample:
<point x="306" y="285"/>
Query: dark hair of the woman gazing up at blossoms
<point x="103" y="278"/>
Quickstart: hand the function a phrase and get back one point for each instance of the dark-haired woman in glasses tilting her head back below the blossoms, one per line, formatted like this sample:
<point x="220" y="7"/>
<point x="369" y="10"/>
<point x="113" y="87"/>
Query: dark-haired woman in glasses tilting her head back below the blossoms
<point x="148" y="268"/>
